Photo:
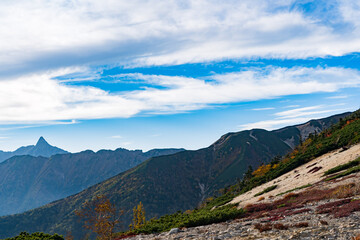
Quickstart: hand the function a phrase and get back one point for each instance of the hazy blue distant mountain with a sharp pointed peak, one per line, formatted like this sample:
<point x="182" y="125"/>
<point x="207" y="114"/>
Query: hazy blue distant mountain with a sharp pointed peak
<point x="42" y="148"/>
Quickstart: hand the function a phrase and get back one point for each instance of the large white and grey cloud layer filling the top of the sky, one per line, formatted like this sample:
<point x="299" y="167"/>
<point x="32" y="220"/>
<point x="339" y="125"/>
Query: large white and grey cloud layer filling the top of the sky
<point x="38" y="35"/>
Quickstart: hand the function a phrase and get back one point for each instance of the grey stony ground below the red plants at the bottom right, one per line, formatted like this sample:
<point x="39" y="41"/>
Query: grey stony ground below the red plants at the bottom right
<point x="320" y="226"/>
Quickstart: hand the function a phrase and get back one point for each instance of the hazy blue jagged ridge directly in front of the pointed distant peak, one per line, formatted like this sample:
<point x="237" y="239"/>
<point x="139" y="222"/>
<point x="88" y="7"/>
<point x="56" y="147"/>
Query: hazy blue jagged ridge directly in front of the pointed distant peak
<point x="28" y="182"/>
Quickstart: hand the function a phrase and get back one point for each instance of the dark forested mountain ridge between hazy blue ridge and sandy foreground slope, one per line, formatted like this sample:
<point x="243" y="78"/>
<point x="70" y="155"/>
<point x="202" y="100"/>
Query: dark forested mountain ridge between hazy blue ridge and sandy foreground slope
<point x="169" y="183"/>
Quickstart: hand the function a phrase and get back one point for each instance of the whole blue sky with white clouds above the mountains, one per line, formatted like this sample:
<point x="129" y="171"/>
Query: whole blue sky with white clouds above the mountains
<point x="138" y="74"/>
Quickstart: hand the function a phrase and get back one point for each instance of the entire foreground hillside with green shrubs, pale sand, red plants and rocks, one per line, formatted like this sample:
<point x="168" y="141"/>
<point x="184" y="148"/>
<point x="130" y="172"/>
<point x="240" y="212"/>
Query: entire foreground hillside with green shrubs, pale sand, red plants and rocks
<point x="295" y="192"/>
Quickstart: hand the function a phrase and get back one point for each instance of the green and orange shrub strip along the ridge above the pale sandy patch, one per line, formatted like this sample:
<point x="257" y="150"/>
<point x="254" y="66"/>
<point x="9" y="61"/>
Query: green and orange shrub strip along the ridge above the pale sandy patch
<point x="340" y="135"/>
